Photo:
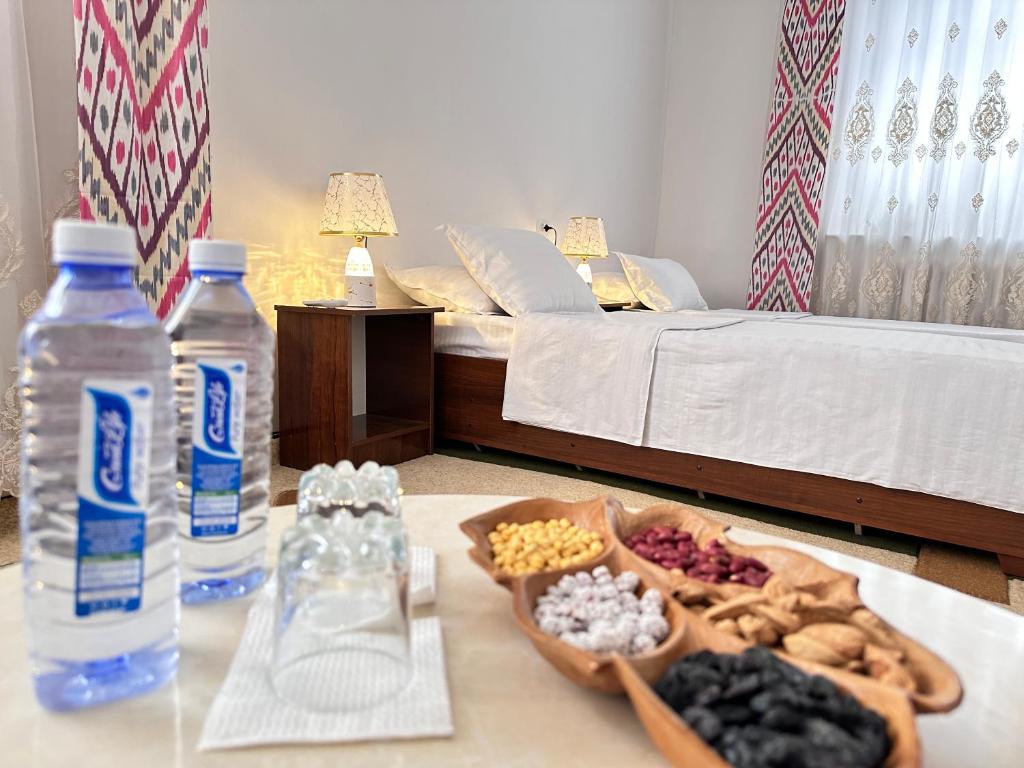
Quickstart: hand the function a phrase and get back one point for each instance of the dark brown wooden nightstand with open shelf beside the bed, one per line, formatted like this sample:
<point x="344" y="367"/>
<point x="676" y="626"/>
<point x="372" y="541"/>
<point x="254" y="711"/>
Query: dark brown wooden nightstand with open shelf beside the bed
<point x="316" y="389"/>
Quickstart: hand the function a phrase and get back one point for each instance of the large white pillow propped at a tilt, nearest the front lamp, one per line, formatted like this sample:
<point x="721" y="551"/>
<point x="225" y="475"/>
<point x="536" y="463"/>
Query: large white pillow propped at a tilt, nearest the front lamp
<point x="522" y="271"/>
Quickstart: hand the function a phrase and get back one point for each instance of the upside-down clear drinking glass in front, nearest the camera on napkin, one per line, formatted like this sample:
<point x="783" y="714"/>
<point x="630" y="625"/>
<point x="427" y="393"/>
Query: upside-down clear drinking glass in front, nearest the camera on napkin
<point x="342" y="624"/>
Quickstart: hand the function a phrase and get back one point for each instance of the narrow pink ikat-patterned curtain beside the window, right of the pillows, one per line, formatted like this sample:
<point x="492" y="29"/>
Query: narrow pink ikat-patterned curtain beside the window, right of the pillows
<point x="796" y="151"/>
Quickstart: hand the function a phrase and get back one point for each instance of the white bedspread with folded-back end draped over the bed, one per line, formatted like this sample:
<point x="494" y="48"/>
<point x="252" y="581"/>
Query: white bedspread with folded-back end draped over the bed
<point x="936" y="413"/>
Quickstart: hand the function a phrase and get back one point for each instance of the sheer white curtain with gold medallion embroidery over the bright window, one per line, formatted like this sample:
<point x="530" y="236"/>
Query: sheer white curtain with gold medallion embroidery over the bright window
<point x="923" y="217"/>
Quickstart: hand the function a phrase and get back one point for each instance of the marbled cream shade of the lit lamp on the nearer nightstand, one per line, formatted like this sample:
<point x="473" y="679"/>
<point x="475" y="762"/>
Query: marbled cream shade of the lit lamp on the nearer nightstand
<point x="357" y="205"/>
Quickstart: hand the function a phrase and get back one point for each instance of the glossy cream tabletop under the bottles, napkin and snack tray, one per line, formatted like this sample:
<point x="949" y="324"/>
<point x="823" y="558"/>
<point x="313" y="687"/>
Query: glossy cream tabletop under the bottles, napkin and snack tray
<point x="511" y="709"/>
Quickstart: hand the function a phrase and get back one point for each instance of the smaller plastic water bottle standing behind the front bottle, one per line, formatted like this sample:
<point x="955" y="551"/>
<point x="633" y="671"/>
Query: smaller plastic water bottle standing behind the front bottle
<point x="224" y="385"/>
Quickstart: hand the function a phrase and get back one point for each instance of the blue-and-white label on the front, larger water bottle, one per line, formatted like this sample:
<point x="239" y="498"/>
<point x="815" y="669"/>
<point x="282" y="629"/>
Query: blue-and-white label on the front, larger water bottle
<point x="114" y="447"/>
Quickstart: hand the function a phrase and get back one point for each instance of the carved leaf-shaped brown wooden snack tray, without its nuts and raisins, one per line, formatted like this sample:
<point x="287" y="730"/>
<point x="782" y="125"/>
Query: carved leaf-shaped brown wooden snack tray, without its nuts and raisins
<point x="690" y="632"/>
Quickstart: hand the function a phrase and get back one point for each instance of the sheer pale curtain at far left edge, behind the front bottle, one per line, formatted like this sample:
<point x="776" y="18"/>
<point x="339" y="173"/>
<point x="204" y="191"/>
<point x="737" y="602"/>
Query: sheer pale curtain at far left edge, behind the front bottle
<point x="38" y="181"/>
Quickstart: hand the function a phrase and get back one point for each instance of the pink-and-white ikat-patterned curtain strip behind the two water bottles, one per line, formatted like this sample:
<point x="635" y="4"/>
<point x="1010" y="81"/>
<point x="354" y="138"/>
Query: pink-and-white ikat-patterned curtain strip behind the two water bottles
<point x="144" y="130"/>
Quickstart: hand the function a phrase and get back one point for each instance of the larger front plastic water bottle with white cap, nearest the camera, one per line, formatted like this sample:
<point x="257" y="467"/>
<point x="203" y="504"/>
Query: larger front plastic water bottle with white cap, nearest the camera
<point x="98" y="505"/>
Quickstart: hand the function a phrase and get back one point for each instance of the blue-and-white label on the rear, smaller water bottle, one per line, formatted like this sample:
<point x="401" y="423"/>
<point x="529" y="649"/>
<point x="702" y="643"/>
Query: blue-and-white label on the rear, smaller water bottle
<point x="219" y="437"/>
